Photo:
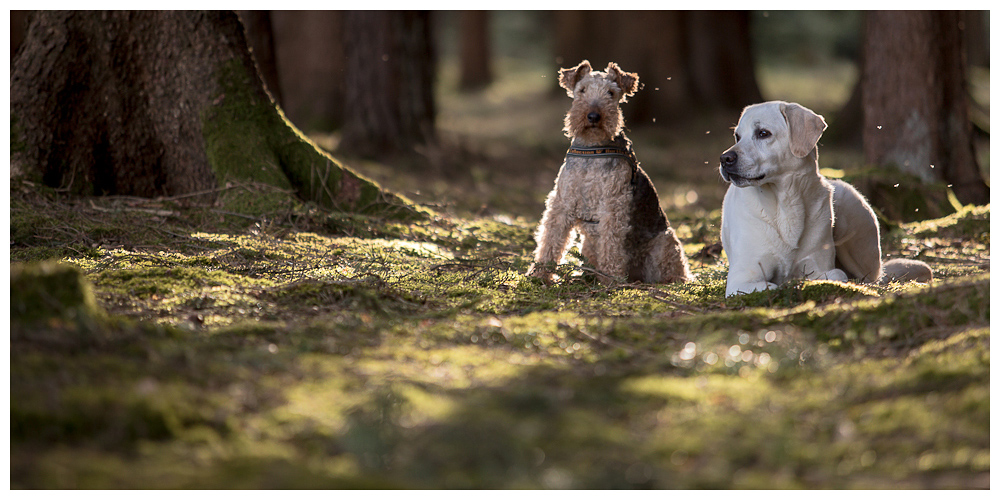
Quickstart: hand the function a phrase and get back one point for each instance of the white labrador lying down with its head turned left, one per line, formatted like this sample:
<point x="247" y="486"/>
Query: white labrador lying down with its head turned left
<point x="778" y="220"/>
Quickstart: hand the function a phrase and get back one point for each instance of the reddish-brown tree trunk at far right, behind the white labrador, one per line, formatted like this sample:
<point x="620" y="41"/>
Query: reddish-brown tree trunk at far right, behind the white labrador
<point x="915" y="100"/>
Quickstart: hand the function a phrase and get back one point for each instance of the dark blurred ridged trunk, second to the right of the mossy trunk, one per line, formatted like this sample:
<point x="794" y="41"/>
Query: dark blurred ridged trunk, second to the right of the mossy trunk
<point x="390" y="78"/>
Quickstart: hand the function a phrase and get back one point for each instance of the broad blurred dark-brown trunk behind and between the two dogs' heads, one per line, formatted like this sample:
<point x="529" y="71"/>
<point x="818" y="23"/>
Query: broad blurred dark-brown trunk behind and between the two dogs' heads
<point x="681" y="59"/>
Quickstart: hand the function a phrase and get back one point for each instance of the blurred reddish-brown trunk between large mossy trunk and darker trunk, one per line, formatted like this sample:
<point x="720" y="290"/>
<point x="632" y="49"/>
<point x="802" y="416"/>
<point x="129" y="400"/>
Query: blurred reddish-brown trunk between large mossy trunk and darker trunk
<point x="310" y="51"/>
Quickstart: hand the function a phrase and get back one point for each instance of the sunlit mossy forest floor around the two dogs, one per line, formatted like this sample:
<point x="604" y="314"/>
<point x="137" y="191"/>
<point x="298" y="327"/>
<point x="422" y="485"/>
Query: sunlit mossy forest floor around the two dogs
<point x="266" y="343"/>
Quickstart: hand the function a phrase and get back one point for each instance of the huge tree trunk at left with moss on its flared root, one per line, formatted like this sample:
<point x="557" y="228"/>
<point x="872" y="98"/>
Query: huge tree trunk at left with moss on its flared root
<point x="161" y="103"/>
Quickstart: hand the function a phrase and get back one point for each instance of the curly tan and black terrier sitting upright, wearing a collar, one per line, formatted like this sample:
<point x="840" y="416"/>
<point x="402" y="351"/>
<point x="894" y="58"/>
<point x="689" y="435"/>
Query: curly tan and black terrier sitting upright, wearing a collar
<point x="603" y="193"/>
